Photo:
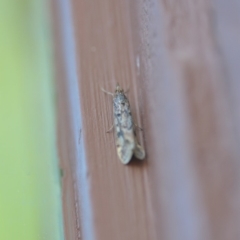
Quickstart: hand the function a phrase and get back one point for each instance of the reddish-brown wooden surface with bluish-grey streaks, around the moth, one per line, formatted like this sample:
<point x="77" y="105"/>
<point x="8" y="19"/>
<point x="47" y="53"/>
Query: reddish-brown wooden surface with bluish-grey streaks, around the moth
<point x="180" y="60"/>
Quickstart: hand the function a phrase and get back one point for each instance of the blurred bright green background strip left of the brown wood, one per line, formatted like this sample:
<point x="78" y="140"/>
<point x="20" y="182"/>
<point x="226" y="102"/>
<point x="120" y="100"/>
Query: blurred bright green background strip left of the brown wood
<point x="30" y="194"/>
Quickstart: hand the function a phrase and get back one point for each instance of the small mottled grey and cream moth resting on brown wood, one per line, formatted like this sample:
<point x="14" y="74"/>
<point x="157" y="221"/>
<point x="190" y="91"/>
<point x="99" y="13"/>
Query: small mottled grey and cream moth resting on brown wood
<point x="125" y="128"/>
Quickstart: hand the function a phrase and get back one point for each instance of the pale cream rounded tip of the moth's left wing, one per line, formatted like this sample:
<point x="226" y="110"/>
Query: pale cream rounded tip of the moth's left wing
<point x="125" y="151"/>
